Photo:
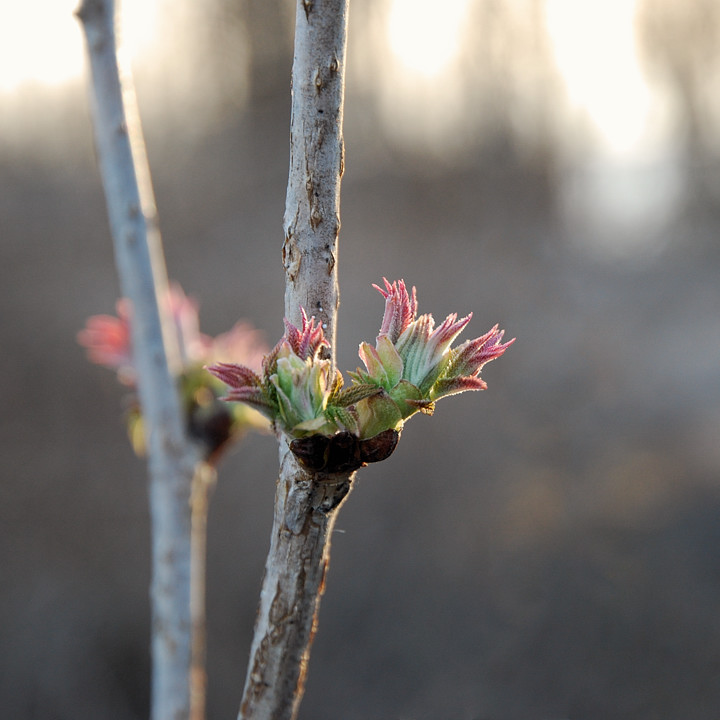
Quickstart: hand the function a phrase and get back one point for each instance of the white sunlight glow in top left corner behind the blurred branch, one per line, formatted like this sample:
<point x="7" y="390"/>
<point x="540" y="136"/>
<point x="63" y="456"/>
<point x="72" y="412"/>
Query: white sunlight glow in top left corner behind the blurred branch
<point x="41" y="42"/>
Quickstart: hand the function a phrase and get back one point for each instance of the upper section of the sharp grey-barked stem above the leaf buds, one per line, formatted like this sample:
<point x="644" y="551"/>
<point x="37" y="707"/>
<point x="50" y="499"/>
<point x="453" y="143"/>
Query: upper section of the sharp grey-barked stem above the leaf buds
<point x="312" y="205"/>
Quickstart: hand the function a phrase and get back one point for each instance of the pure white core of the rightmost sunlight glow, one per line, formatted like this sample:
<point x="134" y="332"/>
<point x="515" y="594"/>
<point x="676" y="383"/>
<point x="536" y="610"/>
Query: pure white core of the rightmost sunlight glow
<point x="595" y="50"/>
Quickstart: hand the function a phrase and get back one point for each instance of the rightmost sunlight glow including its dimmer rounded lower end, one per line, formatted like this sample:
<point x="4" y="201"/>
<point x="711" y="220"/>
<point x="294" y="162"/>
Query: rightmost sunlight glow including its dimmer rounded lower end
<point x="629" y="185"/>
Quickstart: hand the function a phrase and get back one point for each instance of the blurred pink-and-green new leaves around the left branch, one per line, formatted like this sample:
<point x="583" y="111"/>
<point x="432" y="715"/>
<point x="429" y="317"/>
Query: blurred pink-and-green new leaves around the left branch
<point x="212" y="423"/>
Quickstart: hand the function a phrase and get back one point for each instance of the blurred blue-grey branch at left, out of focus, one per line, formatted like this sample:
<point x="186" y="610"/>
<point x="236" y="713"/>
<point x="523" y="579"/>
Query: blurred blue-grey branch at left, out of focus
<point x="173" y="461"/>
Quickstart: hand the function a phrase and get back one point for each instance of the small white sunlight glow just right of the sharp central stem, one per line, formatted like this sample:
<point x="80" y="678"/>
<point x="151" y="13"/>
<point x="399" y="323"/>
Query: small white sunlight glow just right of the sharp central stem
<point x="424" y="34"/>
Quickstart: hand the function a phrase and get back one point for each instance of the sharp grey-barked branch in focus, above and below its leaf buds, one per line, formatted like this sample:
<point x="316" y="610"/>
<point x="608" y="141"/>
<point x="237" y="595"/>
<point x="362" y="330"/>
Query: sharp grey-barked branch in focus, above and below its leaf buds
<point x="306" y="504"/>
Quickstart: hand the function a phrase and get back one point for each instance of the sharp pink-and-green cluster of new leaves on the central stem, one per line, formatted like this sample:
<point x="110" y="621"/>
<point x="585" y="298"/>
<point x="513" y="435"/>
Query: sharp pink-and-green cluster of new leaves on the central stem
<point x="410" y="367"/>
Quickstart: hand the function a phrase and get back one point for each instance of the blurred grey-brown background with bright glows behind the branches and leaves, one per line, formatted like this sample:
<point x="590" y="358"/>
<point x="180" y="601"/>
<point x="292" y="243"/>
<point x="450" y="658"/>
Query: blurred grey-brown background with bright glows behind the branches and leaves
<point x="548" y="549"/>
